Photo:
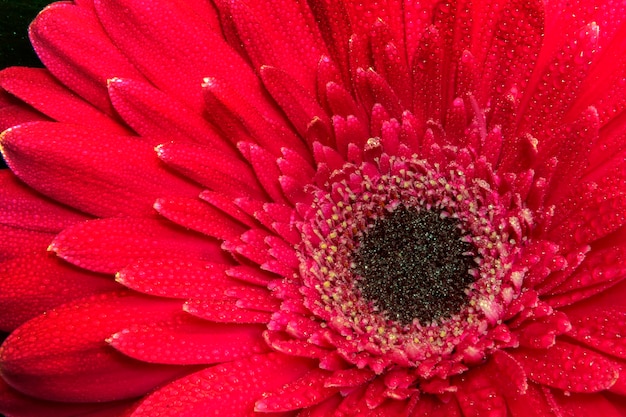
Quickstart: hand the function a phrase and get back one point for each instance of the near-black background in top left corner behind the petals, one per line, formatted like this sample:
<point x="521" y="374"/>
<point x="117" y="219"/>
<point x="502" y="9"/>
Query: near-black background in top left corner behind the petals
<point x="15" y="49"/>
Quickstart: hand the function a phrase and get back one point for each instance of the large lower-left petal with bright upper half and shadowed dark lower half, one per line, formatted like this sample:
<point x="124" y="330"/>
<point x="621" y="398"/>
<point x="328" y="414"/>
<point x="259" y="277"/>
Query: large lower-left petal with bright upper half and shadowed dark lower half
<point x="62" y="355"/>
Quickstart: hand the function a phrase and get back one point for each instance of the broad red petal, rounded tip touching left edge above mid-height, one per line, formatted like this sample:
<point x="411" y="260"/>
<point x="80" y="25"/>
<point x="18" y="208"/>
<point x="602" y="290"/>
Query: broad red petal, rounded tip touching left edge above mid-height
<point x="97" y="173"/>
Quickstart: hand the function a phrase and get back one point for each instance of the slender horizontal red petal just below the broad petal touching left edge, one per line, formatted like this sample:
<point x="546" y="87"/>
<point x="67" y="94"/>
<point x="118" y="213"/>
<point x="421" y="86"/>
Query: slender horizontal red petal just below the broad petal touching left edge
<point x="108" y="245"/>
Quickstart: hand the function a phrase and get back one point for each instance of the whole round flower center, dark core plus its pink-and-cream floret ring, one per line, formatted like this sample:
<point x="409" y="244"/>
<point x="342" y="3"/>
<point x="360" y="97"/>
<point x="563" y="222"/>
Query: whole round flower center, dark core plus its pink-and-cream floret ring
<point x="406" y="262"/>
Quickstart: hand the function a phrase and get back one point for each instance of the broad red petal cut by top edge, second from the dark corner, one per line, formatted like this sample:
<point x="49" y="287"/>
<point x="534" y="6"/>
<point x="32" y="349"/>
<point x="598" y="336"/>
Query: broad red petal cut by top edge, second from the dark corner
<point x="171" y="45"/>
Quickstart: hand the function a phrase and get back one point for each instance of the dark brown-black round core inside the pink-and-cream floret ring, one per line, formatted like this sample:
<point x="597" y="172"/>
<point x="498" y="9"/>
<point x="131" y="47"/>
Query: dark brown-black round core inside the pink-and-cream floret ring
<point x="414" y="265"/>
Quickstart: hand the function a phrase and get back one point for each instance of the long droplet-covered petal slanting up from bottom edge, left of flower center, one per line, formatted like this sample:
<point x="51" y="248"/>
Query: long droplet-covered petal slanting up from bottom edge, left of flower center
<point x="229" y="389"/>
